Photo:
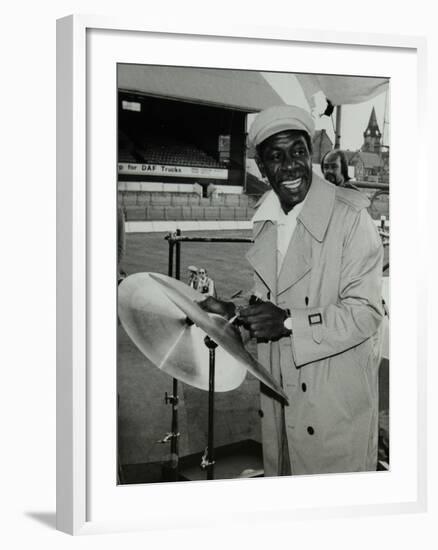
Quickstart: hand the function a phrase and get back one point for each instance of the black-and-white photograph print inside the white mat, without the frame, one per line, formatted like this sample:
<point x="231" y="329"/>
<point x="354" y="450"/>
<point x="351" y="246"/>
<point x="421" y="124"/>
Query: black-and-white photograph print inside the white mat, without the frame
<point x="253" y="238"/>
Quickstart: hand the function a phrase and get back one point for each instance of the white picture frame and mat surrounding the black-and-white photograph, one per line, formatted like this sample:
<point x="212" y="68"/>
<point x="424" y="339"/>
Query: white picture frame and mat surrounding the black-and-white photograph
<point x="80" y="497"/>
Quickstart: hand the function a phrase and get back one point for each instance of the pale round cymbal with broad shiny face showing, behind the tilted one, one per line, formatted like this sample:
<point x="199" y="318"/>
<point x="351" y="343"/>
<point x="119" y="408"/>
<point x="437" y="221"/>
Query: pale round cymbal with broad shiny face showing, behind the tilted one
<point x="159" y="328"/>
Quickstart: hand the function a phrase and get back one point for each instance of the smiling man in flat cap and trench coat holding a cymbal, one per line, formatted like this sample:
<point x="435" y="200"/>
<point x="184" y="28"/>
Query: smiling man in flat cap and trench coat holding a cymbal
<point x="317" y="259"/>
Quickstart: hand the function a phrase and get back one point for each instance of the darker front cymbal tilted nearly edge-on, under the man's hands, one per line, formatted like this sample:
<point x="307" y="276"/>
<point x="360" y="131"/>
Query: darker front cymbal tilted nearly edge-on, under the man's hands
<point x="218" y="328"/>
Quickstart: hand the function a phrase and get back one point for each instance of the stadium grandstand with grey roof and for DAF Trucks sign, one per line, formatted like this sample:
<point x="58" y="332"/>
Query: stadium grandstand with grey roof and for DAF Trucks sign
<point x="181" y="142"/>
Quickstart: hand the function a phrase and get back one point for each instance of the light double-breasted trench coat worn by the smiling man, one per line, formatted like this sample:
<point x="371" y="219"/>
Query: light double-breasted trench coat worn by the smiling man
<point x="330" y="279"/>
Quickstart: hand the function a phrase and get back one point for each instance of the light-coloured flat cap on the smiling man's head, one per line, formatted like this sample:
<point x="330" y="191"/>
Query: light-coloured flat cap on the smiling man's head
<point x="278" y="119"/>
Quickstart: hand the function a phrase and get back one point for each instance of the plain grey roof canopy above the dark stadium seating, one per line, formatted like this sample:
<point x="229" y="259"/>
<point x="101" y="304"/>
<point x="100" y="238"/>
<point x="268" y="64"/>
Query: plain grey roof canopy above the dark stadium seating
<point x="240" y="90"/>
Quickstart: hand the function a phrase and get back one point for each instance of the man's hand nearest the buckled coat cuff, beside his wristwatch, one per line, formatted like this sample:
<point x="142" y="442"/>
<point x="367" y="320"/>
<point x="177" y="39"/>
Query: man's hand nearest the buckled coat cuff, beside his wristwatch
<point x="264" y="321"/>
